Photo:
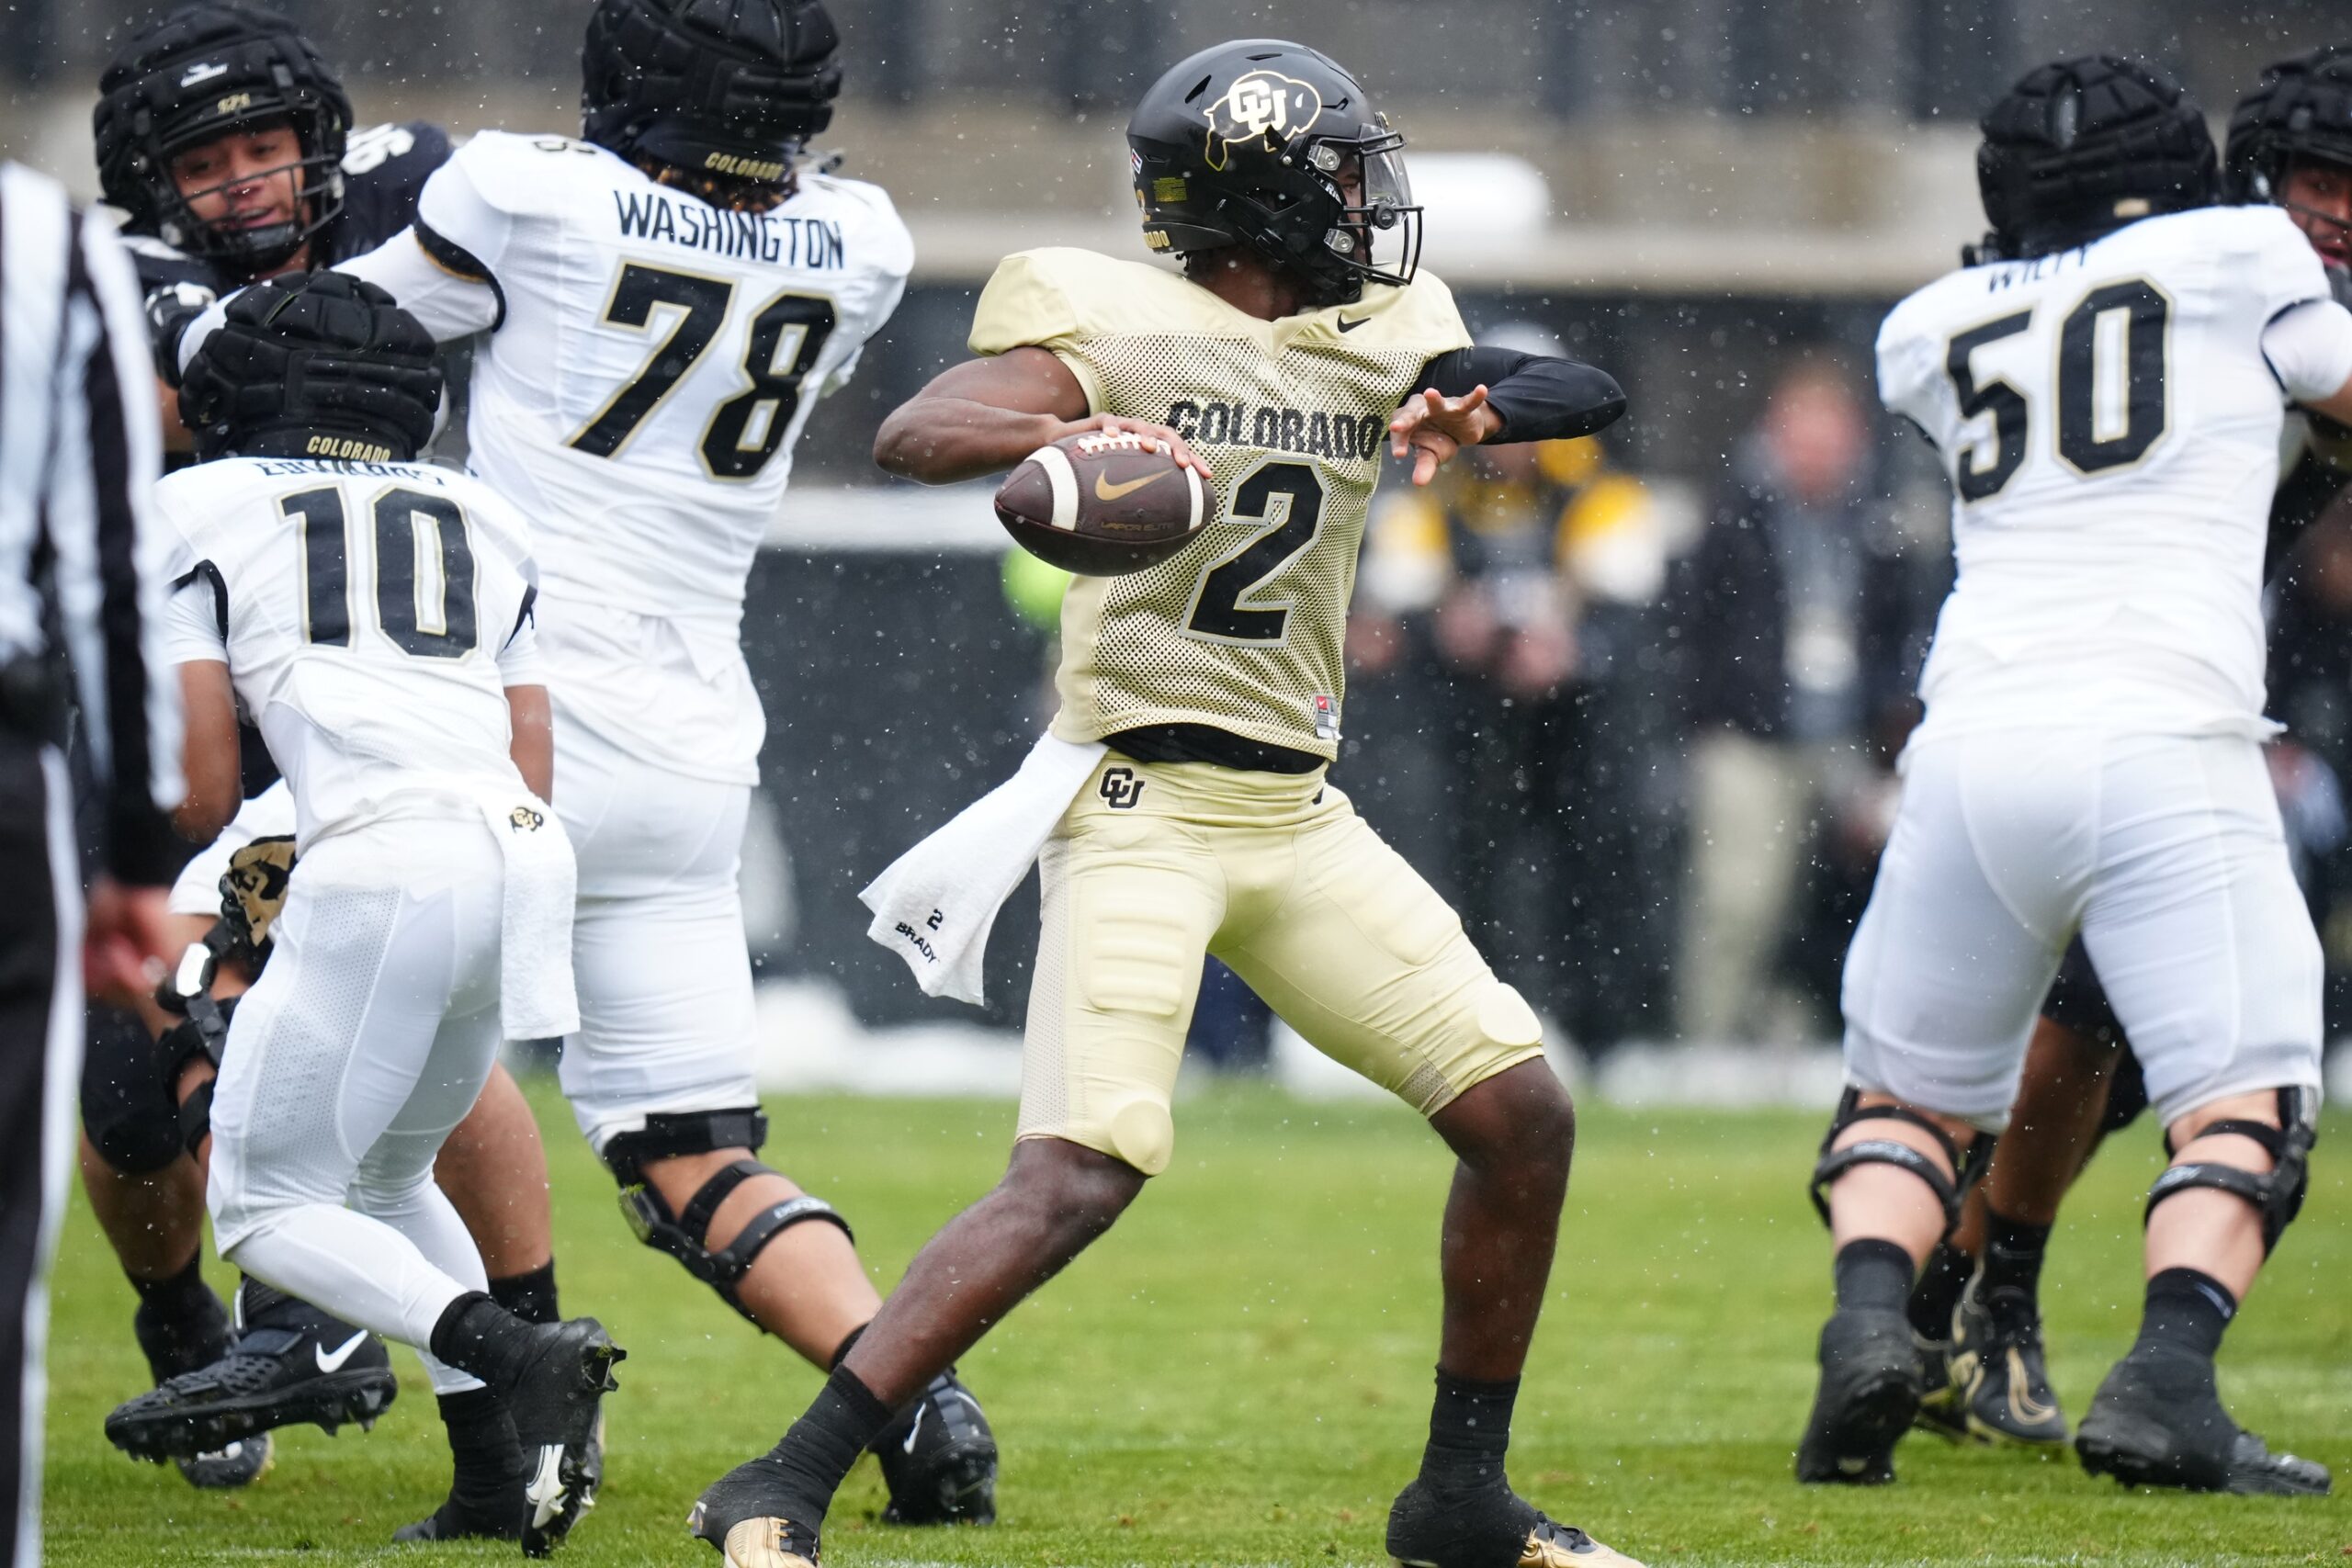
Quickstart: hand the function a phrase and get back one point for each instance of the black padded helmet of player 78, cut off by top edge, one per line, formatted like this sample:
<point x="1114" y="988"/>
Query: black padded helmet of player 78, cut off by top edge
<point x="730" y="88"/>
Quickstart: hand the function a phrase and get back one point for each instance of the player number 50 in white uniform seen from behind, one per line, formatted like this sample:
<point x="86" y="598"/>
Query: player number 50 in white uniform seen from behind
<point x="2102" y="384"/>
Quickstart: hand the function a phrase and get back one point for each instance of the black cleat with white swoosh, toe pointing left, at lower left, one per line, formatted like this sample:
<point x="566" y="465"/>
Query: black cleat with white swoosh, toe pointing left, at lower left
<point x="290" y="1365"/>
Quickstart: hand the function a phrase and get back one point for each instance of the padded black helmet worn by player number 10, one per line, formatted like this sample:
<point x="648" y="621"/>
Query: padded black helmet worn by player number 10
<point x="314" y="366"/>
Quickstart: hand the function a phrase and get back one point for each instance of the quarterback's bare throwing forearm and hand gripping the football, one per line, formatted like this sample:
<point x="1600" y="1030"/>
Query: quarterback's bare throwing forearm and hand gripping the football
<point x="987" y="415"/>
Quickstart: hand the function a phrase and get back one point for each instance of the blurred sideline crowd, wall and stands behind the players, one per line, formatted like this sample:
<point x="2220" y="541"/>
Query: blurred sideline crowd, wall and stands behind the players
<point x="1636" y="704"/>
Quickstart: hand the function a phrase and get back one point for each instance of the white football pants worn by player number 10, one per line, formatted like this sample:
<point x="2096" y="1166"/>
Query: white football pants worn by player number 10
<point x="366" y="1040"/>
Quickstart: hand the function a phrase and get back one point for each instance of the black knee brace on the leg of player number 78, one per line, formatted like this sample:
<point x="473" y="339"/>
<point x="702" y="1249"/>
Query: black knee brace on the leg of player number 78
<point x="686" y="1235"/>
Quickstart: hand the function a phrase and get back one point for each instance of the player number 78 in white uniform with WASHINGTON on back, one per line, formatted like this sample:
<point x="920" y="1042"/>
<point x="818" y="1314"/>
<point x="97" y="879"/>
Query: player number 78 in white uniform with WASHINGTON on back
<point x="660" y="307"/>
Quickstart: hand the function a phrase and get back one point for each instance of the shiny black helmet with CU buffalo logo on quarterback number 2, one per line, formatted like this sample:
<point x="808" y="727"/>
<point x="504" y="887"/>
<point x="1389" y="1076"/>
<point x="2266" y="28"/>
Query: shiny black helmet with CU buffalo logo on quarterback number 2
<point x="1274" y="147"/>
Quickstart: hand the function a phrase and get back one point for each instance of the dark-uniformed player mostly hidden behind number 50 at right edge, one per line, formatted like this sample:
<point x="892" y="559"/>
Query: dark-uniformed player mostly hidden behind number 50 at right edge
<point x="2290" y="145"/>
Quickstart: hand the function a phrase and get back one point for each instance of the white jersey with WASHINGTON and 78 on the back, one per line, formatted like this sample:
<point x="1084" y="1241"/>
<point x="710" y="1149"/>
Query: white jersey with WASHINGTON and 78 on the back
<point x="648" y="373"/>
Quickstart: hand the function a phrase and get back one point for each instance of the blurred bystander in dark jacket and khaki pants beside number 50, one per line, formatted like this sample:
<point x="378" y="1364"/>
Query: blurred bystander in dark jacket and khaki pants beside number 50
<point x="1796" y="626"/>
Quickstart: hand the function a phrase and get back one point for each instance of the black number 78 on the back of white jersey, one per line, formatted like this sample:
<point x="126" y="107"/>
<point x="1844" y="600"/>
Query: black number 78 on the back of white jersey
<point x="780" y="349"/>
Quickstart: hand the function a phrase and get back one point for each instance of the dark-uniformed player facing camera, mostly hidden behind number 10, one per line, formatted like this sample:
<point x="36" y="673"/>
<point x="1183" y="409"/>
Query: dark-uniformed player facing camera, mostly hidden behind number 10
<point x="227" y="142"/>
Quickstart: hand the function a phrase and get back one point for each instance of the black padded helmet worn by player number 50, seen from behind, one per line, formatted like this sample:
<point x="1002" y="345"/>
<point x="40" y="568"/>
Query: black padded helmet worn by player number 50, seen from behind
<point x="2085" y="147"/>
